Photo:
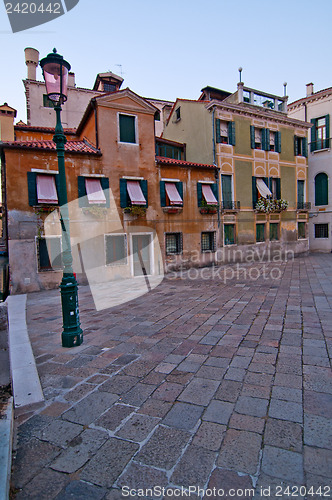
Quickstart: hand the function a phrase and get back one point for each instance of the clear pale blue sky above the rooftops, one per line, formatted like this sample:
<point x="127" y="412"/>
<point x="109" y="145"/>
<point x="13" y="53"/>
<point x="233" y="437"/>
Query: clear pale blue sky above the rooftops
<point x="174" y="48"/>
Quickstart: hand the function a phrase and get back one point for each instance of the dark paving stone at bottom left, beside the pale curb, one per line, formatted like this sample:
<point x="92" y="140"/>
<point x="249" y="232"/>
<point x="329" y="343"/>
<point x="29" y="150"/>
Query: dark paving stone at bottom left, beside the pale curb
<point x="30" y="458"/>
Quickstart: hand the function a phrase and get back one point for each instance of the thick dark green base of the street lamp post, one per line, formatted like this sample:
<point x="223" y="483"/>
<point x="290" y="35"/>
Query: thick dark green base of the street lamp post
<point x="72" y="335"/>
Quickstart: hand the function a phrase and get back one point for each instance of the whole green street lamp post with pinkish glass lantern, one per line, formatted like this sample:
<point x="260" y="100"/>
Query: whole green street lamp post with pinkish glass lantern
<point x="55" y="72"/>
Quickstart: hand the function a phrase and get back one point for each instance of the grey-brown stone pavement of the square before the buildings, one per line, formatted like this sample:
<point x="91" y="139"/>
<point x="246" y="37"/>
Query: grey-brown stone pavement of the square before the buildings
<point x="213" y="381"/>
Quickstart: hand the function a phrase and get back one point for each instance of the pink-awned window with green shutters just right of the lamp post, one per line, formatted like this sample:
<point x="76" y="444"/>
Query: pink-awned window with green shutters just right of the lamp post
<point x="93" y="191"/>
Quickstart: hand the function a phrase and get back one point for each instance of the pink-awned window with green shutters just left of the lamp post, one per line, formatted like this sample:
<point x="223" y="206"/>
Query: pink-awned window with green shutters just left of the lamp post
<point x="42" y="189"/>
